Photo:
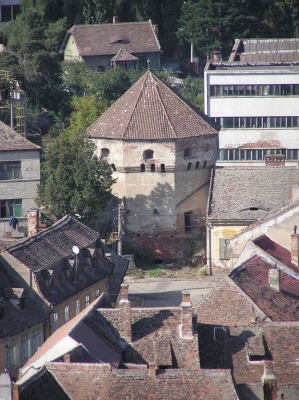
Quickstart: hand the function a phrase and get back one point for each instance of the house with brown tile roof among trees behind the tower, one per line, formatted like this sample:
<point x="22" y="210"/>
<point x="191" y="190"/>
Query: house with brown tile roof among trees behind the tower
<point x="96" y="45"/>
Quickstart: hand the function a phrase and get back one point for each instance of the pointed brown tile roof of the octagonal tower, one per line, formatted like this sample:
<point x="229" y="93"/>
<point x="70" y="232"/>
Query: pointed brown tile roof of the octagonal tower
<point x="150" y="110"/>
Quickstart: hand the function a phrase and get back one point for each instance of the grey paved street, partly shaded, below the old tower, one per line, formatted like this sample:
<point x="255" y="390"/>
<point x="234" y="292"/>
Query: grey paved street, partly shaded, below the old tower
<point x="161" y="292"/>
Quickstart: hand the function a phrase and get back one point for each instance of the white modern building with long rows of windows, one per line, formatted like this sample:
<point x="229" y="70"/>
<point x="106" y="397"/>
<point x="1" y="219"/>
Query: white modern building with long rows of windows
<point x="255" y="98"/>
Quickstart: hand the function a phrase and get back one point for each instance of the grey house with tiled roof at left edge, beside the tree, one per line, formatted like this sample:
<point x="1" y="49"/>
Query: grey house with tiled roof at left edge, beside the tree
<point x="19" y="178"/>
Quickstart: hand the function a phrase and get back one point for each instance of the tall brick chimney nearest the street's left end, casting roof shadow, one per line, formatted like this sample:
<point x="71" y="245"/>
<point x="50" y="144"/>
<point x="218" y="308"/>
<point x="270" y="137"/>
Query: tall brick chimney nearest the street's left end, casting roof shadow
<point x="125" y="314"/>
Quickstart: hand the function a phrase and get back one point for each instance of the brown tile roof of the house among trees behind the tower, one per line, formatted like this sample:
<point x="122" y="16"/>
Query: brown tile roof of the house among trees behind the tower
<point x="106" y="39"/>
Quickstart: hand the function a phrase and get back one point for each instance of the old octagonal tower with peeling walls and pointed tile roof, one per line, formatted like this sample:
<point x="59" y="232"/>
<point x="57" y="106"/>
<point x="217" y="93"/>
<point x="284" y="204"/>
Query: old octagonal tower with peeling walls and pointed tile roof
<point x="161" y="150"/>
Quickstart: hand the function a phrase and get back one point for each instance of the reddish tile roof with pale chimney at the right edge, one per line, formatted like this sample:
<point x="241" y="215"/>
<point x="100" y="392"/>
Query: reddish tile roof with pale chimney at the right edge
<point x="253" y="277"/>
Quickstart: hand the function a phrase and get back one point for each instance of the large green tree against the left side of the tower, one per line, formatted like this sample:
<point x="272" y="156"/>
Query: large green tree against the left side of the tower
<point x="73" y="179"/>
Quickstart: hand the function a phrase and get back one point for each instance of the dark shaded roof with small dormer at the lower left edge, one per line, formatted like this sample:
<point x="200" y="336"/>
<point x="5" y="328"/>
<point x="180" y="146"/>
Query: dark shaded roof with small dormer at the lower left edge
<point x="14" y="319"/>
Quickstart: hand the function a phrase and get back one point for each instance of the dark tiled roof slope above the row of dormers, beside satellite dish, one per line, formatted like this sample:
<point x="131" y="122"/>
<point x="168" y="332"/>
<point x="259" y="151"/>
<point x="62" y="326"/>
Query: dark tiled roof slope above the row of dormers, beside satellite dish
<point x="54" y="244"/>
